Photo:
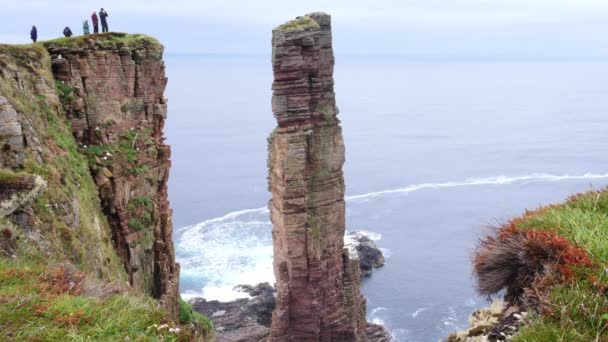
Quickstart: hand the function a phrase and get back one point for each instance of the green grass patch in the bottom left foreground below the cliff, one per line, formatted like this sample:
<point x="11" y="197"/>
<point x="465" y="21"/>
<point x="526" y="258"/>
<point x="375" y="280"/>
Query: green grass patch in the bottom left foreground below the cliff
<point x="43" y="303"/>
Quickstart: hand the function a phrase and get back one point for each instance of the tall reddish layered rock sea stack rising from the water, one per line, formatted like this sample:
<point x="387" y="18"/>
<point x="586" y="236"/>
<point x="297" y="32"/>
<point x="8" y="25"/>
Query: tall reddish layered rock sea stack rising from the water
<point x="318" y="294"/>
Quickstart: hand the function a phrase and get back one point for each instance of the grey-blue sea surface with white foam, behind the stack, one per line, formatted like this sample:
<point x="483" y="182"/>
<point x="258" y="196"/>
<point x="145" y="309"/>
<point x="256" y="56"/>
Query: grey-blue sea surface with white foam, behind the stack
<point x="436" y="153"/>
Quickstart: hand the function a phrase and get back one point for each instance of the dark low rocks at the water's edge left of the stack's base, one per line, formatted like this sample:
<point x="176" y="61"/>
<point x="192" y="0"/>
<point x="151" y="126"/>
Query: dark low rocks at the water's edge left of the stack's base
<point x="241" y="320"/>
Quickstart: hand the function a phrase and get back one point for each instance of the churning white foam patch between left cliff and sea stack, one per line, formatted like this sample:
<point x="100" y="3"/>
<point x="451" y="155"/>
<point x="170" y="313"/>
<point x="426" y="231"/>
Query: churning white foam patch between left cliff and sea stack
<point x="218" y="254"/>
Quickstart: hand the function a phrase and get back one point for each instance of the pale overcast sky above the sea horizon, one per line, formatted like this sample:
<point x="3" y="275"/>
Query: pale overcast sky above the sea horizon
<point x="425" y="28"/>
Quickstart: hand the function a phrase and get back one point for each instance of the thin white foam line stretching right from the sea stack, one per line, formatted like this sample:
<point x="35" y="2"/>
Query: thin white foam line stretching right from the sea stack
<point x="497" y="180"/>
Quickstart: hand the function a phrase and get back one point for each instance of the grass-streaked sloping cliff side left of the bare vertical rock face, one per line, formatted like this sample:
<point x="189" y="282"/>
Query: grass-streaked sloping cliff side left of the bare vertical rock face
<point x="38" y="153"/>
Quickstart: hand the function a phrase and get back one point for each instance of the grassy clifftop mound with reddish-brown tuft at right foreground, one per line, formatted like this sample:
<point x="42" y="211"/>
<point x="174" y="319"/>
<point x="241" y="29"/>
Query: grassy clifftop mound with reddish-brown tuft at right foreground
<point x="553" y="261"/>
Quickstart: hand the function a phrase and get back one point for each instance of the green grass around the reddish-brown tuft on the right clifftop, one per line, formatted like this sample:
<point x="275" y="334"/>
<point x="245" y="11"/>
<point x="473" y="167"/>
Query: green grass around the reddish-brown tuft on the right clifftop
<point x="572" y="308"/>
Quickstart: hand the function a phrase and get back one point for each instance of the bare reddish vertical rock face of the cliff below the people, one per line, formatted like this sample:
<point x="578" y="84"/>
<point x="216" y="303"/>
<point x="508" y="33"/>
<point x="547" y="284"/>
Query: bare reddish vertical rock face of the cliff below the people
<point x="112" y="91"/>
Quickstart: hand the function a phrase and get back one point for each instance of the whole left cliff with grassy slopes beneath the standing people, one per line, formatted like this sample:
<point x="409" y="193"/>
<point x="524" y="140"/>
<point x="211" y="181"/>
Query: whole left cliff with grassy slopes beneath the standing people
<point x="83" y="184"/>
